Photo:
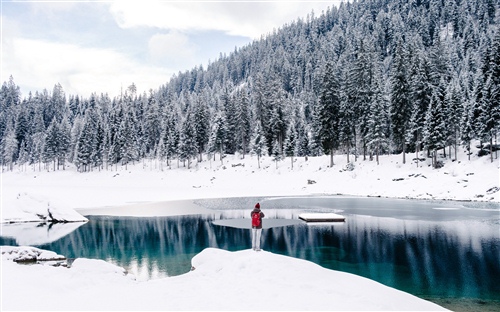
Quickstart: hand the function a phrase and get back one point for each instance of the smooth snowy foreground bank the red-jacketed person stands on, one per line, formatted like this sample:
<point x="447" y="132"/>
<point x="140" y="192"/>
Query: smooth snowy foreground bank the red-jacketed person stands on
<point x="265" y="281"/>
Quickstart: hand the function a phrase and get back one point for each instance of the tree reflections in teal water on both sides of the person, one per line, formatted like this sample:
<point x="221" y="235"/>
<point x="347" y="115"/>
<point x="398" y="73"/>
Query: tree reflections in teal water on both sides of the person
<point x="422" y="257"/>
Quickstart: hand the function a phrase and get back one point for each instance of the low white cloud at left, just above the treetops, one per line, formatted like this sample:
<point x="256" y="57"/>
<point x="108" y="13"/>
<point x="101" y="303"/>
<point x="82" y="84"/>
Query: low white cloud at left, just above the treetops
<point x="37" y="64"/>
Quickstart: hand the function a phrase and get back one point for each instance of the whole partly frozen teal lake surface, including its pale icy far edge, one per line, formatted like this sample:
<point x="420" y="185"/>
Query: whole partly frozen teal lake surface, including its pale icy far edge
<point x="446" y="252"/>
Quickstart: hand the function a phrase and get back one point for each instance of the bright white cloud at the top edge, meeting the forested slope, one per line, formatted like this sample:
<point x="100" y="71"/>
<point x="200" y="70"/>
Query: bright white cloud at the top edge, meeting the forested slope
<point x="241" y="18"/>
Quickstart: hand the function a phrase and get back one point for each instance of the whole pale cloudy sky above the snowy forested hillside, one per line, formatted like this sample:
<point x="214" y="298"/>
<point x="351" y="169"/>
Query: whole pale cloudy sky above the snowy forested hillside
<point x="104" y="46"/>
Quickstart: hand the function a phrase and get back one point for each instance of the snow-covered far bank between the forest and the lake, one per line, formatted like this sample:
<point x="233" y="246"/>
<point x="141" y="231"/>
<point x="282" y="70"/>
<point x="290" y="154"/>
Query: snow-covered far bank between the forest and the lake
<point x="27" y="194"/>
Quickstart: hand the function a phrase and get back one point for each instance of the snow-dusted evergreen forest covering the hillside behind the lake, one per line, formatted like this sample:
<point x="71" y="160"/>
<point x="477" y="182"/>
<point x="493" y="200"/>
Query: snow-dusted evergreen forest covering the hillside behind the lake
<point x="366" y="78"/>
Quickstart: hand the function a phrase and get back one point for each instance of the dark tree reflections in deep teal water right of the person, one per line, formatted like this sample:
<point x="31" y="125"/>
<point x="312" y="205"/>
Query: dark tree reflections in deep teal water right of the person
<point x="428" y="258"/>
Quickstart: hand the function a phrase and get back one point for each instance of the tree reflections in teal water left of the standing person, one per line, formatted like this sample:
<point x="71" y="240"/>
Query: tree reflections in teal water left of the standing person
<point x="148" y="242"/>
